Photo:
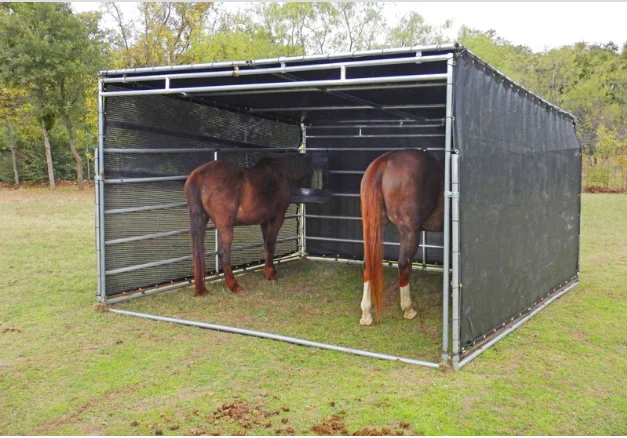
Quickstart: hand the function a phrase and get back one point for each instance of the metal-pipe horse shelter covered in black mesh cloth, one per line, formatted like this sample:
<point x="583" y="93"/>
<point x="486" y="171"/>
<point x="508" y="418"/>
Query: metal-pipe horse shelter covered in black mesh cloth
<point x="512" y="184"/>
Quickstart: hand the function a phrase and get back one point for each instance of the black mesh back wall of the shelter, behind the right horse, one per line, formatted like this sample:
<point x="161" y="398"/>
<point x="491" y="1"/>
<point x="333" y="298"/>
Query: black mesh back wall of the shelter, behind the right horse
<point x="340" y="183"/>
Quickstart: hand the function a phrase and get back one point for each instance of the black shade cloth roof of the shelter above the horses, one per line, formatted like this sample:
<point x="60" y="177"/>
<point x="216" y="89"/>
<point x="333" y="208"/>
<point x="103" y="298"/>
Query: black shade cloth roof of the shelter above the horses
<point x="313" y="105"/>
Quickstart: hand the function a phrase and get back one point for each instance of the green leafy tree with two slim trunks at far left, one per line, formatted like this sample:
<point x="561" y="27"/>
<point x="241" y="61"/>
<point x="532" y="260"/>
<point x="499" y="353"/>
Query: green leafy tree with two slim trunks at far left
<point x="53" y="54"/>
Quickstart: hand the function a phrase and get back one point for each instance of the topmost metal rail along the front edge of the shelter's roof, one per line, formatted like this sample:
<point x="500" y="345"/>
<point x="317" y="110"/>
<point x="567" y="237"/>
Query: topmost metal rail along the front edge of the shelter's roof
<point x="287" y="59"/>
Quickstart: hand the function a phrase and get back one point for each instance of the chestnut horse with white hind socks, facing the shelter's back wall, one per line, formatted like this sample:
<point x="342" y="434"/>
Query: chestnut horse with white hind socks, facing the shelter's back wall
<point x="405" y="188"/>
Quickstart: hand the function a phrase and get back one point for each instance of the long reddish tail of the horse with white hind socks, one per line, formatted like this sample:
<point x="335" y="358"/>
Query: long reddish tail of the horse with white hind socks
<point x="371" y="211"/>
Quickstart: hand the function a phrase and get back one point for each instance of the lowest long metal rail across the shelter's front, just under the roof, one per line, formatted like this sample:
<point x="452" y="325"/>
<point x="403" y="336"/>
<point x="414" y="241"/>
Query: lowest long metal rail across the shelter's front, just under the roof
<point x="279" y="85"/>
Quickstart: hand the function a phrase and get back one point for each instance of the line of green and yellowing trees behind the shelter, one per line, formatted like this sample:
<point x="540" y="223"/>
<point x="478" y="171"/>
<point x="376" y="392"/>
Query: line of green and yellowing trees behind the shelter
<point x="50" y="56"/>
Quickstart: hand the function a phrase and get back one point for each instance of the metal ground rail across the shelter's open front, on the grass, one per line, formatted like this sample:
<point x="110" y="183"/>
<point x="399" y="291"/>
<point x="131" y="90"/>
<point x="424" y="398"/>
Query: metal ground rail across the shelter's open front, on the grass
<point x="266" y="335"/>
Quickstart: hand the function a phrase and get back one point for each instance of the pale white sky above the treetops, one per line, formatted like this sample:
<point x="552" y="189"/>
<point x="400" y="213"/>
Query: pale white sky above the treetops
<point x="540" y="26"/>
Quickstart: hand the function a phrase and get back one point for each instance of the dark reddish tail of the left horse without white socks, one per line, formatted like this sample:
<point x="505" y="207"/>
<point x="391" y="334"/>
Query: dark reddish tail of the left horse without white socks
<point x="198" y="219"/>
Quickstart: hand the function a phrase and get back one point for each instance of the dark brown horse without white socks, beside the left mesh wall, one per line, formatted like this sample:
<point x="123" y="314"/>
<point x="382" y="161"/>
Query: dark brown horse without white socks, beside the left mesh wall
<point x="232" y="195"/>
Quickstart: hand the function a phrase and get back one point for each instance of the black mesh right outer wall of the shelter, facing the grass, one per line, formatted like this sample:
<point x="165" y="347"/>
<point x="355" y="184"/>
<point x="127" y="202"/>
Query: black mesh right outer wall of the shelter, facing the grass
<point x="520" y="170"/>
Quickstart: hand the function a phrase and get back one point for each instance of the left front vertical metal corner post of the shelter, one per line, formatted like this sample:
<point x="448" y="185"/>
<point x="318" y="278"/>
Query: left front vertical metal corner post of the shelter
<point x="99" y="187"/>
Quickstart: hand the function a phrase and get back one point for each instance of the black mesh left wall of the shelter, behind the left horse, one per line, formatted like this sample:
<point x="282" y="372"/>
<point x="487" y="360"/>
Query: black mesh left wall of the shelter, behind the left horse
<point x="153" y="123"/>
